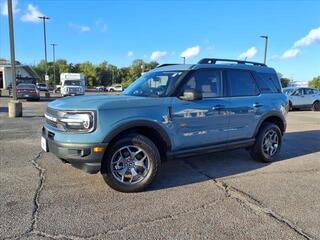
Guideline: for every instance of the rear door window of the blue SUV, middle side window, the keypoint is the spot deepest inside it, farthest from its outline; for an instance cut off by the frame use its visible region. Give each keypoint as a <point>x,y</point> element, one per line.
<point>241,83</point>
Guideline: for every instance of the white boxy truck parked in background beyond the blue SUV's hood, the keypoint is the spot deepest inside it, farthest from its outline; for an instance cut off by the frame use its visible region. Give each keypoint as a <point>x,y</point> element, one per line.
<point>72,84</point>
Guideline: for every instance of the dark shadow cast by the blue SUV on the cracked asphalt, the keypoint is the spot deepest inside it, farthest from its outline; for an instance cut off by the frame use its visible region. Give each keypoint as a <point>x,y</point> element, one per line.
<point>225,164</point>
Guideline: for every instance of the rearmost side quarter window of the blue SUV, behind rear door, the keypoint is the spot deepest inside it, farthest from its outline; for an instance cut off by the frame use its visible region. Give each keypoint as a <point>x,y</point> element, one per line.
<point>268,82</point>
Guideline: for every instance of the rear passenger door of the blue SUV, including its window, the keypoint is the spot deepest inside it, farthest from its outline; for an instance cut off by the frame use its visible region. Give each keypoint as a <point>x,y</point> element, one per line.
<point>245,104</point>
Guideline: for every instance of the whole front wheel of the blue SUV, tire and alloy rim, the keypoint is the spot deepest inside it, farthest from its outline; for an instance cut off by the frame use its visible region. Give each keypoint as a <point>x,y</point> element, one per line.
<point>131,164</point>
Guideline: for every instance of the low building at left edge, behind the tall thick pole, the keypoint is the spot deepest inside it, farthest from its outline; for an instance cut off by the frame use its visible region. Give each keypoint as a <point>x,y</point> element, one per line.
<point>24,74</point>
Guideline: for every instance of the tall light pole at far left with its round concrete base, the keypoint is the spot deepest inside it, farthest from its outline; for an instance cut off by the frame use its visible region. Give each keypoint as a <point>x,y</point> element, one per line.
<point>15,107</point>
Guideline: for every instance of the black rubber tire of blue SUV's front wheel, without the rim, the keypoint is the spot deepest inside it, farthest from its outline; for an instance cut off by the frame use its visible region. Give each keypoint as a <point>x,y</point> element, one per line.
<point>141,142</point>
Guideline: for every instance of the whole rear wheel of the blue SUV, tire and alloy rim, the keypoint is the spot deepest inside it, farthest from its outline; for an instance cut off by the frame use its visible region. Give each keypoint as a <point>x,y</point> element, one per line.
<point>268,143</point>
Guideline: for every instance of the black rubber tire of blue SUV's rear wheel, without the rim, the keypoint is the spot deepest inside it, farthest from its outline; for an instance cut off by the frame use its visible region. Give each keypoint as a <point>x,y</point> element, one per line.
<point>257,151</point>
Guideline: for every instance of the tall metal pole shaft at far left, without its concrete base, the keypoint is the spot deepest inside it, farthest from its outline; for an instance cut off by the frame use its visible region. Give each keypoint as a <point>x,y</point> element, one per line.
<point>12,53</point>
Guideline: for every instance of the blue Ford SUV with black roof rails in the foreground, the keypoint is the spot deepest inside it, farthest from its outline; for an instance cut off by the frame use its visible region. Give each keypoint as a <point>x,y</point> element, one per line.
<point>170,112</point>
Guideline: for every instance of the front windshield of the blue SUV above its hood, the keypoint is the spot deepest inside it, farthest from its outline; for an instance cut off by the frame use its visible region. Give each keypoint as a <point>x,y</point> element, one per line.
<point>153,84</point>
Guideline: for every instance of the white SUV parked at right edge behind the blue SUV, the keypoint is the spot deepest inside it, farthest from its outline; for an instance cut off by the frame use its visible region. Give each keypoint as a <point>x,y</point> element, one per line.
<point>302,97</point>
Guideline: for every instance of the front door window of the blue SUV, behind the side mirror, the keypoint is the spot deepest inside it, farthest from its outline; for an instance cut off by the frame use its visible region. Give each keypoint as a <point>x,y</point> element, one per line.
<point>207,81</point>
